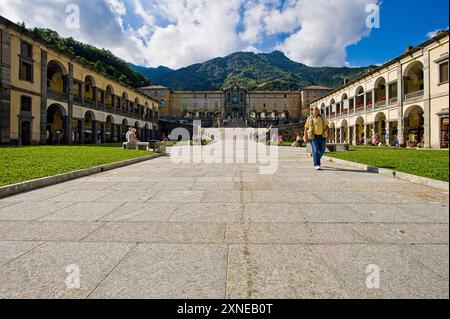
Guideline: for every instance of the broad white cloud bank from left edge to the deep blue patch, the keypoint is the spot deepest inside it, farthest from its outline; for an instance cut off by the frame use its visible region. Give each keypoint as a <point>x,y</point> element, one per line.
<point>177,33</point>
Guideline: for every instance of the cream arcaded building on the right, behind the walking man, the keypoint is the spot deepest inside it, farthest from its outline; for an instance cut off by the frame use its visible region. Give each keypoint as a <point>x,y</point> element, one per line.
<point>406,100</point>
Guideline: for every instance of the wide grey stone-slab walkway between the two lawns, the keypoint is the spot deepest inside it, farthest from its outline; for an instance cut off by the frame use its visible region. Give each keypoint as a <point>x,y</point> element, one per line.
<point>160,230</point>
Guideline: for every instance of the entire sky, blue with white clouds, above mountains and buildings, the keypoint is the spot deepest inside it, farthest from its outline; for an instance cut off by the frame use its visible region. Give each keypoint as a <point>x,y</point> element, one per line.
<point>177,33</point>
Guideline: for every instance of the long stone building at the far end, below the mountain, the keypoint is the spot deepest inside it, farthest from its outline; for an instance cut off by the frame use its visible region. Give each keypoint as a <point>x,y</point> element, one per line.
<point>257,108</point>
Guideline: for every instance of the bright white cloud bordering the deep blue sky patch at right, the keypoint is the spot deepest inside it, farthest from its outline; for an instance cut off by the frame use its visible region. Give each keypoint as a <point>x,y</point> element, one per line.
<point>326,30</point>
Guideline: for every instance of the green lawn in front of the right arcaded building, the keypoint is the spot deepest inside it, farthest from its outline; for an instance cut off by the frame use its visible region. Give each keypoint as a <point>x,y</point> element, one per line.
<point>427,163</point>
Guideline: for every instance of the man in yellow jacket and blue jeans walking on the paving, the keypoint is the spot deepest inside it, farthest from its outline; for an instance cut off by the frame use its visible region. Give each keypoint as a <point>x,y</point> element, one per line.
<point>316,132</point>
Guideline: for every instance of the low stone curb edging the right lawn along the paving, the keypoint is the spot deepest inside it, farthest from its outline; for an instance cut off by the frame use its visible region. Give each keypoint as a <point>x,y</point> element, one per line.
<point>441,185</point>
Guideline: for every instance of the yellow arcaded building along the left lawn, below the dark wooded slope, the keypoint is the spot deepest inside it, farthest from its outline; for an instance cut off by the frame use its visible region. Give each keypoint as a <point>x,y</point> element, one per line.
<point>49,97</point>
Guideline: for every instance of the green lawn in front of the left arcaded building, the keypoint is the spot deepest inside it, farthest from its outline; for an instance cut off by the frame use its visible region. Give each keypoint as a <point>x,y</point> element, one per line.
<point>19,164</point>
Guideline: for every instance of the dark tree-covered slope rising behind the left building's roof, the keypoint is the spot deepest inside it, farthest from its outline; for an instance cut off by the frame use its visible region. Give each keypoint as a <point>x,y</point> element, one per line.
<point>102,60</point>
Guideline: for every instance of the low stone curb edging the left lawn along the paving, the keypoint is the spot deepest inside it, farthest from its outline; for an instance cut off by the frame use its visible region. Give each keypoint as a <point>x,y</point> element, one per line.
<point>53,180</point>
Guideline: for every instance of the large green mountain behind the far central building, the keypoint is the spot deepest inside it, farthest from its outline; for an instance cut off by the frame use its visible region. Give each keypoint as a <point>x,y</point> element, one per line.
<point>264,71</point>
